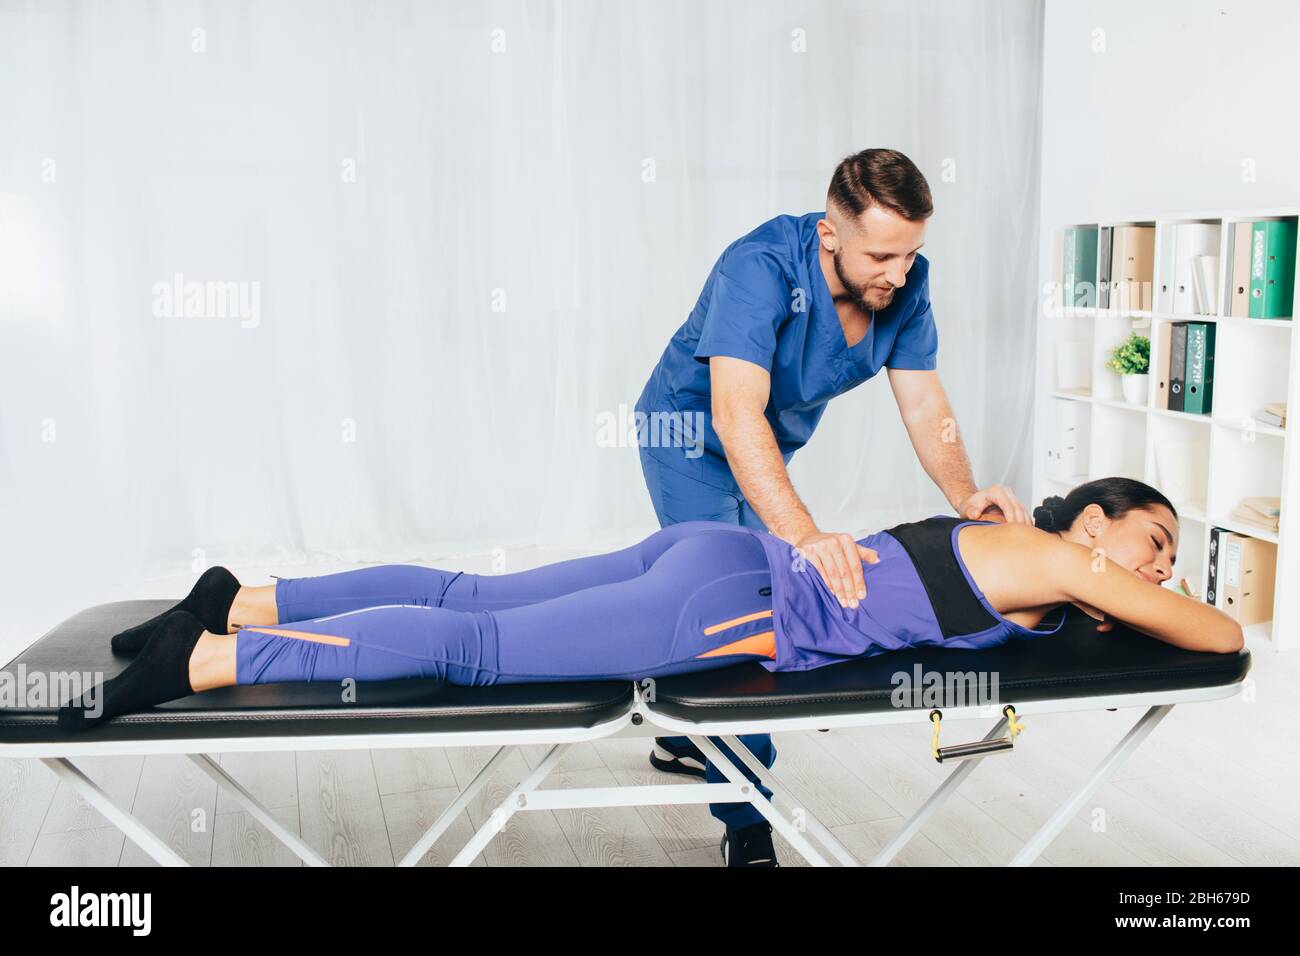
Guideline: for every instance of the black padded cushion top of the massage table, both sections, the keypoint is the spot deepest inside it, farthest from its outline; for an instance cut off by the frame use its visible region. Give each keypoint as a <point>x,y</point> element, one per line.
<point>1076,663</point>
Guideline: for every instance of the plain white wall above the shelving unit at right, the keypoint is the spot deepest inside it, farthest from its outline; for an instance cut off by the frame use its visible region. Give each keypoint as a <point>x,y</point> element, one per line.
<point>1165,107</point>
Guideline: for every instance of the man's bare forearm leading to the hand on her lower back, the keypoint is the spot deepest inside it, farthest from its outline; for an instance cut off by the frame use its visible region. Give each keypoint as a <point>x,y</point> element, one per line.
<point>757,465</point>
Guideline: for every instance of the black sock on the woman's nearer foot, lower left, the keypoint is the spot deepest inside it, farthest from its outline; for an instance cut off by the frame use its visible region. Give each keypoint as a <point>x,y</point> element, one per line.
<point>161,673</point>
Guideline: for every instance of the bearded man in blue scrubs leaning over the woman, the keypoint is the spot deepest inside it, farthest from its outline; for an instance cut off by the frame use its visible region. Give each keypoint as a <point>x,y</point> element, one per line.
<point>794,314</point>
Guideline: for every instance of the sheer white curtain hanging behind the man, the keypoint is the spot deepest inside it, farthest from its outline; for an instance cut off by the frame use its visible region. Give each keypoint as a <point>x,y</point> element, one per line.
<point>457,237</point>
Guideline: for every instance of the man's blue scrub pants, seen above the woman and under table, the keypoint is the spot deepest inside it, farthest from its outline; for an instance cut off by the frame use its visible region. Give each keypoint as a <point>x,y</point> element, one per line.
<point>682,492</point>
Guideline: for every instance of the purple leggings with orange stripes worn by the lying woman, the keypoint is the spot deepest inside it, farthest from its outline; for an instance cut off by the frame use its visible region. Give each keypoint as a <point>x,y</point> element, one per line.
<point>691,596</point>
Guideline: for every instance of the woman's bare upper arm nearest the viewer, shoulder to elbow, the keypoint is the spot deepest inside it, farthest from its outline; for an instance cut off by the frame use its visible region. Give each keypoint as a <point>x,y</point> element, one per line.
<point>1072,573</point>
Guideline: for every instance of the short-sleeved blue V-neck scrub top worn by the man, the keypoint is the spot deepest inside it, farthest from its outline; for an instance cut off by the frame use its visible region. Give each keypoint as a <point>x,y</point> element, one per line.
<point>766,301</point>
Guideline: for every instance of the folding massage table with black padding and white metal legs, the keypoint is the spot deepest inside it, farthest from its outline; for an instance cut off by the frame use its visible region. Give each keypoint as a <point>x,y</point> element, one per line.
<point>1076,671</point>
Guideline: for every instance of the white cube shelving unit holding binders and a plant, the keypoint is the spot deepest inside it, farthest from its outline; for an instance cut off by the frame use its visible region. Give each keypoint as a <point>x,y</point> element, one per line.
<point>1256,361</point>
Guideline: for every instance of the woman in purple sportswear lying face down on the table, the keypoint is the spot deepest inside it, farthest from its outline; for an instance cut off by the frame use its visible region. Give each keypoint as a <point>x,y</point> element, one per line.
<point>690,598</point>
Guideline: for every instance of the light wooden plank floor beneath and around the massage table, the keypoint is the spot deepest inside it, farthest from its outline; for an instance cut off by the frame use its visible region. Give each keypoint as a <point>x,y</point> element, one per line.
<point>1215,785</point>
